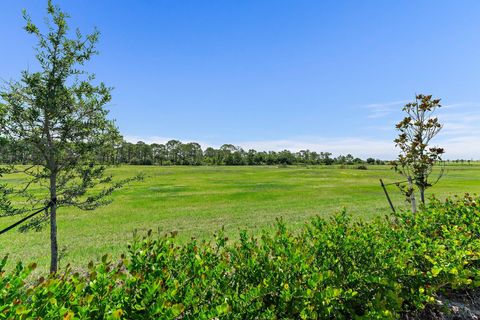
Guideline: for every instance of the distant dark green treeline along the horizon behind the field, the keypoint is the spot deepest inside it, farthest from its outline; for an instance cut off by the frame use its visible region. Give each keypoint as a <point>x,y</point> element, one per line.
<point>175,152</point>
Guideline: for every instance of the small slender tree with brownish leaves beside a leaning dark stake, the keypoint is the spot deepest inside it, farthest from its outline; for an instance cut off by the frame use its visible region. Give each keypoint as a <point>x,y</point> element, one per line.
<point>417,159</point>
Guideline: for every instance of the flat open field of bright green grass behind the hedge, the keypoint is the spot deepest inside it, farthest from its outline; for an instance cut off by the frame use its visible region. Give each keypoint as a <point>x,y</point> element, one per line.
<point>197,201</point>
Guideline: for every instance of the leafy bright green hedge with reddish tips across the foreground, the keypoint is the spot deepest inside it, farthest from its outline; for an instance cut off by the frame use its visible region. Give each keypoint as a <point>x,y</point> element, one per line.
<point>336,269</point>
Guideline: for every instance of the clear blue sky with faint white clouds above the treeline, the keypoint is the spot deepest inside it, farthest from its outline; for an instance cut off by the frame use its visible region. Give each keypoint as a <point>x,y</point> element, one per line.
<point>325,75</point>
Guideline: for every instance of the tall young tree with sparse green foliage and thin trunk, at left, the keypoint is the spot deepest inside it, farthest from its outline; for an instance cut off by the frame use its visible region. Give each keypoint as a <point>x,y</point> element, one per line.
<point>60,113</point>
